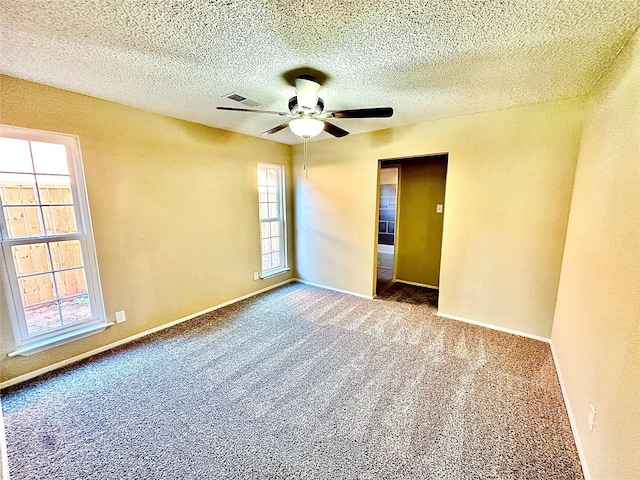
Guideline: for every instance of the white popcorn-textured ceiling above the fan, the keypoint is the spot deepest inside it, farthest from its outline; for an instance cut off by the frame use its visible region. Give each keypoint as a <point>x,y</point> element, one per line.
<point>426,59</point>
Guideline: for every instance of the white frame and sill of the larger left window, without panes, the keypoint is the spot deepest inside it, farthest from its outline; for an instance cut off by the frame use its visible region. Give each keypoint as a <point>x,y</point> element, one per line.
<point>25,343</point>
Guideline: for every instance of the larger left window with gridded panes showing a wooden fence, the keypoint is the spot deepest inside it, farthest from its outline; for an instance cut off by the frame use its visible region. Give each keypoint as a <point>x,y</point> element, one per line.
<point>48,256</point>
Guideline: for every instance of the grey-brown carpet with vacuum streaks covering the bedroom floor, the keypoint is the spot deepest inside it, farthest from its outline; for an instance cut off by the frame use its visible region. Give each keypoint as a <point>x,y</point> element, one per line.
<point>300,382</point>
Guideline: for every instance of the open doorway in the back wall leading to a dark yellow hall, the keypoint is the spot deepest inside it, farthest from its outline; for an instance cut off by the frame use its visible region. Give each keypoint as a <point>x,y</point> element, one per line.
<point>411,252</point>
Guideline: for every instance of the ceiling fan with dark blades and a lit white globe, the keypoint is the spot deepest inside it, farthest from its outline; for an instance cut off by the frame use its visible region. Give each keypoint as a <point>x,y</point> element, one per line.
<point>307,117</point>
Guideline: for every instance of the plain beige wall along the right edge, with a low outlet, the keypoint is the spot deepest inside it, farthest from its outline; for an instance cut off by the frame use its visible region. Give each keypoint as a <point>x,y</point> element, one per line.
<point>596,331</point>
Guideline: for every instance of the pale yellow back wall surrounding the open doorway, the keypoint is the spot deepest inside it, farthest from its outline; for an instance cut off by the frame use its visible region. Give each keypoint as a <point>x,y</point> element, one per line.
<point>509,182</point>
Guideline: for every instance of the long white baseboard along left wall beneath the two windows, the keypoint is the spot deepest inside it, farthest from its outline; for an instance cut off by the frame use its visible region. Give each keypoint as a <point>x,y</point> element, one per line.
<point>77,358</point>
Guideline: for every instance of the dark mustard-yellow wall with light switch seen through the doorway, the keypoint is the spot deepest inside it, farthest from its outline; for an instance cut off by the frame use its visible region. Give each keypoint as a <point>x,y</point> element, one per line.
<point>419,239</point>
